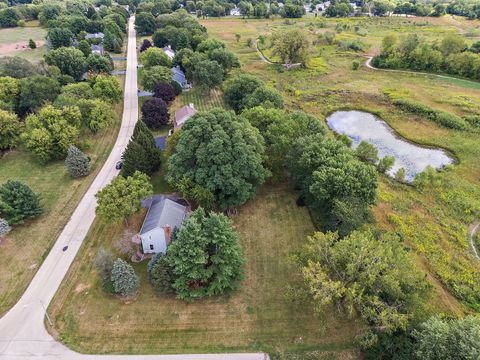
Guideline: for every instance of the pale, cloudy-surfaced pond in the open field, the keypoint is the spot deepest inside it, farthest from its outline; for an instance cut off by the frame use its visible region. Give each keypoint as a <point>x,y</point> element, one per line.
<point>359,125</point>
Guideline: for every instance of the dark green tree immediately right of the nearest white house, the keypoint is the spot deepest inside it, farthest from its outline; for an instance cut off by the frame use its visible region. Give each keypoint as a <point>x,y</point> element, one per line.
<point>206,256</point>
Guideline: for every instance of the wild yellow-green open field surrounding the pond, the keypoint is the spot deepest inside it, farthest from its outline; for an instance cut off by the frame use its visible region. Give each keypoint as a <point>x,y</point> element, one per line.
<point>433,218</point>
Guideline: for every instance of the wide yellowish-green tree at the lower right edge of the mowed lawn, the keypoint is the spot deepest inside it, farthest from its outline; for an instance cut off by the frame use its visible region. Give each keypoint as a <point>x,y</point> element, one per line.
<point>370,275</point>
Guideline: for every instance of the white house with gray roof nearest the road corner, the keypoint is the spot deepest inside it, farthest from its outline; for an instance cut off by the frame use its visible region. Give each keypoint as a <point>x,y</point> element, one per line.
<point>163,216</point>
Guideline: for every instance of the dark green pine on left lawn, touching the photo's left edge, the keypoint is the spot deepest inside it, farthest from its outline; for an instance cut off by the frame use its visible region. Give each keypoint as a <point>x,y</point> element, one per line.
<point>18,202</point>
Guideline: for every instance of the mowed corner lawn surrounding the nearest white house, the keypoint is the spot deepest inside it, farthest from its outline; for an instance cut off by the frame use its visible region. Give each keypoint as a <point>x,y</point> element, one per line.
<point>257,317</point>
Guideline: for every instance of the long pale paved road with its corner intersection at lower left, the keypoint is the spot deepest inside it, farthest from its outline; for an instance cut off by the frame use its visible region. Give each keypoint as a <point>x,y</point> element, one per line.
<point>22,331</point>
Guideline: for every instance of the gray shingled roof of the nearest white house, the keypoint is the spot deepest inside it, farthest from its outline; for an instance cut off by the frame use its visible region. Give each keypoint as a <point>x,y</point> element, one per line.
<point>164,212</point>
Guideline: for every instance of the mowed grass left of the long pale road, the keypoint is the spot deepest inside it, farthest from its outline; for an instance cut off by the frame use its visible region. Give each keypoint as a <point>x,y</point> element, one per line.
<point>27,245</point>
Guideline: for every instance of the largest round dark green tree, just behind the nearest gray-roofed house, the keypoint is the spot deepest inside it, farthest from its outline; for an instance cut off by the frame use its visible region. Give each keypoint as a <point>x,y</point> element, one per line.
<point>227,159</point>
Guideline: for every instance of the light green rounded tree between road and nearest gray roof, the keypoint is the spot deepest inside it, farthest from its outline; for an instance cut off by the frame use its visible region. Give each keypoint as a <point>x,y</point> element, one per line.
<point>122,197</point>
